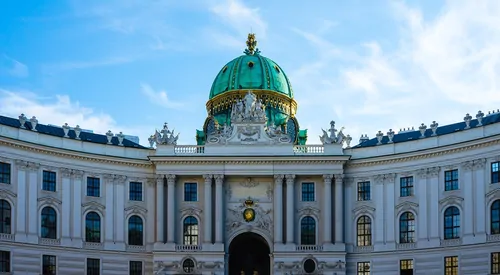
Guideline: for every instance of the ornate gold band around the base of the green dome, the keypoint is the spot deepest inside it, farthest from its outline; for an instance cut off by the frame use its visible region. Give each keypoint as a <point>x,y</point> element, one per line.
<point>269,97</point>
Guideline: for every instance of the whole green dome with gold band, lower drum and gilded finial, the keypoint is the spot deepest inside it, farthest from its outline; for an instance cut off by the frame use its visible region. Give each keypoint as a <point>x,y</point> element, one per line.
<point>256,73</point>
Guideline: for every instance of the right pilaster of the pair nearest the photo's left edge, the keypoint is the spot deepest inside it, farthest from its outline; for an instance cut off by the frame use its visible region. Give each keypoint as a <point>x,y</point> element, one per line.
<point>32,200</point>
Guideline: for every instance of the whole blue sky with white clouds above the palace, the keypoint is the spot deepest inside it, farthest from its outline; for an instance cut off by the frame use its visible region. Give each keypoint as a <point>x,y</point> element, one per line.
<point>131,65</point>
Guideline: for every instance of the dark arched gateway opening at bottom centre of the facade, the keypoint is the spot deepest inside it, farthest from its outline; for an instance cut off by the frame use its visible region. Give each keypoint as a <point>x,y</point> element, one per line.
<point>249,253</point>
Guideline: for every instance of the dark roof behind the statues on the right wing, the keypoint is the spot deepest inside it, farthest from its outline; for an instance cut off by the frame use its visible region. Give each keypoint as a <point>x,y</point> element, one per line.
<point>442,130</point>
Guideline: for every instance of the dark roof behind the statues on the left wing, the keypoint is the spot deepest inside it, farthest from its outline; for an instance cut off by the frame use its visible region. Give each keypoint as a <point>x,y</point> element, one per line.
<point>59,132</point>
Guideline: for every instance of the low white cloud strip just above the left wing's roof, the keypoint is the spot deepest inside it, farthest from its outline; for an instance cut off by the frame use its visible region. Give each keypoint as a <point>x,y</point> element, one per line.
<point>63,110</point>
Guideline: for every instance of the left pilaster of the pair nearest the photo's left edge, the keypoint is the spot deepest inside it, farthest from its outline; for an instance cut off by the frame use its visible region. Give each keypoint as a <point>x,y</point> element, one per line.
<point>21,201</point>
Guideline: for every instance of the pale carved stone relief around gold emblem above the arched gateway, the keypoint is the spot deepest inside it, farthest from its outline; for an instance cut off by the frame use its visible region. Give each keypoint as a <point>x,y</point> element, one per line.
<point>263,218</point>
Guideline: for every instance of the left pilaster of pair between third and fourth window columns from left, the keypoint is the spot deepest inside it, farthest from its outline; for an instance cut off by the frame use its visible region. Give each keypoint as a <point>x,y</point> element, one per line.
<point>108,187</point>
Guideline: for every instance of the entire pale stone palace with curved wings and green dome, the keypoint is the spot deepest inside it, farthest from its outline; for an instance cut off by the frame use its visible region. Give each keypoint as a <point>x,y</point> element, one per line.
<point>251,197</point>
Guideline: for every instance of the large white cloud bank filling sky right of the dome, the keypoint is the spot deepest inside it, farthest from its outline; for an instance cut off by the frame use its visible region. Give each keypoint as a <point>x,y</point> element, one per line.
<point>441,69</point>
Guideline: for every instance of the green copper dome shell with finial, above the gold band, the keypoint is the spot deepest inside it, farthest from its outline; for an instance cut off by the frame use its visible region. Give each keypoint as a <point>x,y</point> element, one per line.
<point>251,71</point>
